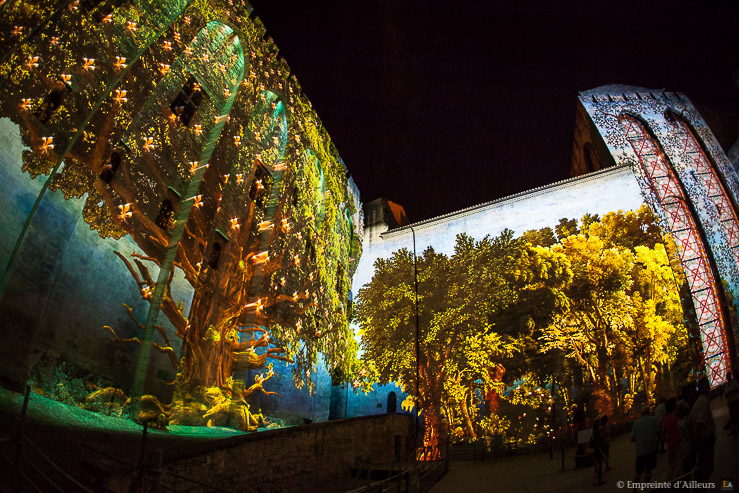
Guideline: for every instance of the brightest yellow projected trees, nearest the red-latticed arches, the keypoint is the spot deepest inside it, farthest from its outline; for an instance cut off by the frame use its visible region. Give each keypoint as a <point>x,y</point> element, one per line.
<point>623,305</point>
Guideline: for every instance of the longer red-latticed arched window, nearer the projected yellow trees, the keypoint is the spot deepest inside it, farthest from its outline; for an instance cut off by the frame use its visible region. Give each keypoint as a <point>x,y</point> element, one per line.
<point>690,242</point>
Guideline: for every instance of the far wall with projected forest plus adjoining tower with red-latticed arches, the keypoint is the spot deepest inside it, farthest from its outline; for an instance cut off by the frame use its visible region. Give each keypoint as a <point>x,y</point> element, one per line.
<point>639,252</point>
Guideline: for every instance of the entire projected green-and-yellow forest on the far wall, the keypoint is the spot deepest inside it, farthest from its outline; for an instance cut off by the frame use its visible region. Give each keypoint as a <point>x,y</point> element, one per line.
<point>512,328</point>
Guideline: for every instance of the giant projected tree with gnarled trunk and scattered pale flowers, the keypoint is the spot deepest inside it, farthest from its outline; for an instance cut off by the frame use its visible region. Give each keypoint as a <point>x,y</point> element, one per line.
<point>190,136</point>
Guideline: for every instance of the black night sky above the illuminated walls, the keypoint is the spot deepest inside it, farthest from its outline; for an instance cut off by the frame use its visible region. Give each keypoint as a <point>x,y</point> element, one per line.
<point>441,105</point>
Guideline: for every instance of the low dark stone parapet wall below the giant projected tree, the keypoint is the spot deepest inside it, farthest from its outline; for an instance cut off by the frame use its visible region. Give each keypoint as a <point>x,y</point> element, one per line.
<point>316,457</point>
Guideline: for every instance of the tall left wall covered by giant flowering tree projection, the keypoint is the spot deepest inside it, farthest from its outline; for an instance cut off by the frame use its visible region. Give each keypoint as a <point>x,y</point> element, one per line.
<point>173,131</point>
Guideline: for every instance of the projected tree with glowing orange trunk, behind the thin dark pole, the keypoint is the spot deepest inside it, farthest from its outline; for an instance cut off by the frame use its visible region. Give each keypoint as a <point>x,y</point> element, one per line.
<point>456,297</point>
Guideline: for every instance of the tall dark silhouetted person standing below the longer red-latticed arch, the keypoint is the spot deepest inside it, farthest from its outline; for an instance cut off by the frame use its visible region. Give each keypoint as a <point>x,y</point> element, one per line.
<point>703,430</point>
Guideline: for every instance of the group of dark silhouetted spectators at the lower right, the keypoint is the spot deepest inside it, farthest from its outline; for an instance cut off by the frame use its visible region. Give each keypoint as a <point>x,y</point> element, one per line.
<point>686,427</point>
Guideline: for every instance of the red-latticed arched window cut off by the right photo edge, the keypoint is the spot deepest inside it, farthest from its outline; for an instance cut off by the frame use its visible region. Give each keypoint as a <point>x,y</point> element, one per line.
<point>705,173</point>
